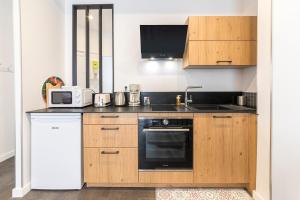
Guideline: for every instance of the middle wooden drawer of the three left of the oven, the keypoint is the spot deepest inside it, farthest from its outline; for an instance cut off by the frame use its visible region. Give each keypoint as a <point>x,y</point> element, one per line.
<point>110,135</point>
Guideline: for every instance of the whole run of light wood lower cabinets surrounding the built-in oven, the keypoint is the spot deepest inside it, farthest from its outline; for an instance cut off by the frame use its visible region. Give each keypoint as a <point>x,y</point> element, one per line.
<point>224,154</point>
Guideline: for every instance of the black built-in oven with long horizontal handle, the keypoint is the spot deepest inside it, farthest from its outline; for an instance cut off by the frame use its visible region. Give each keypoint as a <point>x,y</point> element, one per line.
<point>165,143</point>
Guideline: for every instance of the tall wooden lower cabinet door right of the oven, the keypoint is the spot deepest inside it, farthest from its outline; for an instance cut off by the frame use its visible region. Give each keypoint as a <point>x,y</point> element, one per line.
<point>220,148</point>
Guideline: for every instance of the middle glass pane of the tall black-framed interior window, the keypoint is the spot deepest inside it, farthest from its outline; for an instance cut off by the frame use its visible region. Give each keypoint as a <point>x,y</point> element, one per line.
<point>94,49</point>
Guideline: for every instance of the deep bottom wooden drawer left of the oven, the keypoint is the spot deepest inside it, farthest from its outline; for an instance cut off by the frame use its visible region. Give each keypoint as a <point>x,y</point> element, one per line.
<point>110,165</point>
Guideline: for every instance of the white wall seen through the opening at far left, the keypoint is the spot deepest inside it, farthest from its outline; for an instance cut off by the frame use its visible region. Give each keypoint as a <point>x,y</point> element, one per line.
<point>7,135</point>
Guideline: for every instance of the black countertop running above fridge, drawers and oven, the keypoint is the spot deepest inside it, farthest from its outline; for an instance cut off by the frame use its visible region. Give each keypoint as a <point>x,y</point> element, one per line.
<point>147,109</point>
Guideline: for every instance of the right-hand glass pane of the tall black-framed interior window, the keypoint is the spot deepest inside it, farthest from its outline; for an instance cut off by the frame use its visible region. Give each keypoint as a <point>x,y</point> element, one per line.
<point>107,51</point>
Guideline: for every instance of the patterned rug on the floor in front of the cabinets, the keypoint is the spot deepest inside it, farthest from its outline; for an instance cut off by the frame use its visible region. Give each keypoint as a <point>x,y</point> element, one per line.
<point>201,194</point>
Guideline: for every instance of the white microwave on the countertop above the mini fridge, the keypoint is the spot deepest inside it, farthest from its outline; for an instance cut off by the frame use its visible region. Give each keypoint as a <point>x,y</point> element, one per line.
<point>73,97</point>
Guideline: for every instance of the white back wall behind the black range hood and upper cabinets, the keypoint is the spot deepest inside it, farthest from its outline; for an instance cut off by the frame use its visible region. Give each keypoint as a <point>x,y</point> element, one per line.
<point>160,75</point>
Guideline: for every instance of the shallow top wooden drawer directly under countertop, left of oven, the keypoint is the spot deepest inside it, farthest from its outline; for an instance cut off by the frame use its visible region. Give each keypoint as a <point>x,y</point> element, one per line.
<point>110,118</point>
